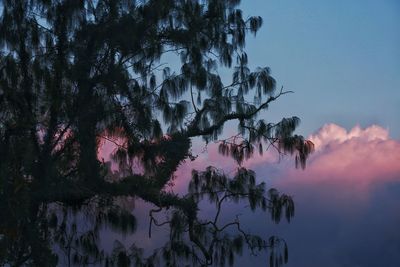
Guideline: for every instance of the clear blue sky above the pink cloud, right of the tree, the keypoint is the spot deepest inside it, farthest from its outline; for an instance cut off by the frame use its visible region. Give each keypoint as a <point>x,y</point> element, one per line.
<point>340,57</point>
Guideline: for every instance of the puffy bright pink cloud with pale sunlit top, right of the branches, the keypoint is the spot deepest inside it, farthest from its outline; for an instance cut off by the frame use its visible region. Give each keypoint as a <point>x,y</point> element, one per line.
<point>359,158</point>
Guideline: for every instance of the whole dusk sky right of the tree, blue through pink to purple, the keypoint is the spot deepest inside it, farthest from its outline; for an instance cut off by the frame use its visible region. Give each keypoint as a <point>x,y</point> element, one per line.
<point>341,58</point>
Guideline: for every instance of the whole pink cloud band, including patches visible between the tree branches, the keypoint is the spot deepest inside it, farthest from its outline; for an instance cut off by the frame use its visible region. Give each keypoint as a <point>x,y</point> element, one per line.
<point>352,160</point>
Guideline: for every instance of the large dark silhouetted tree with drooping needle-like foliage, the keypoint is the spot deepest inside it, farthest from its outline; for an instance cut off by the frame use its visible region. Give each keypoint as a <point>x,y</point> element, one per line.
<point>73,73</point>
